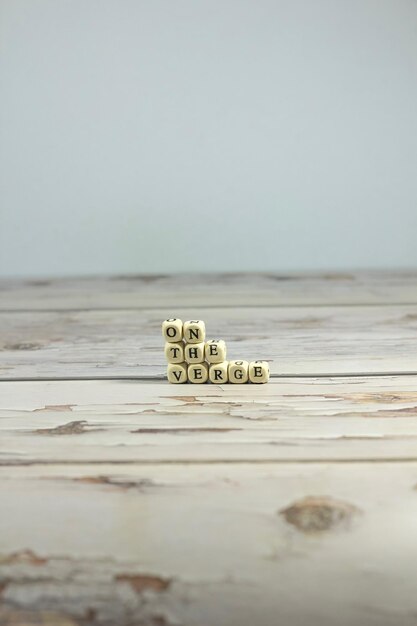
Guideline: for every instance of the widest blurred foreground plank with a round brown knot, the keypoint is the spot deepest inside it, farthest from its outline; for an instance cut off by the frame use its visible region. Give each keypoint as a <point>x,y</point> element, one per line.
<point>188,545</point>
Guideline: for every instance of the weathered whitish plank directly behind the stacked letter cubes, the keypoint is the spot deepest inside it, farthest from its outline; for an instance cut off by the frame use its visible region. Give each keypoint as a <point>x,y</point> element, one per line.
<point>296,340</point>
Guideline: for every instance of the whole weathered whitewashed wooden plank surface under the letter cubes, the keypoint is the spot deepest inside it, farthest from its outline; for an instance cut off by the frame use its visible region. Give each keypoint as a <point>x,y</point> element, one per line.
<point>127,501</point>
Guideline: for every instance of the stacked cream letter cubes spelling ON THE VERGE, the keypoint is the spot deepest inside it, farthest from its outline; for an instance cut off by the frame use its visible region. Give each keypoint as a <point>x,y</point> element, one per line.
<point>193,359</point>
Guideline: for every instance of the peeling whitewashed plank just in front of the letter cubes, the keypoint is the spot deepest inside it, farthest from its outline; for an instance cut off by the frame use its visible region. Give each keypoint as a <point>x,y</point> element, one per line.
<point>287,420</point>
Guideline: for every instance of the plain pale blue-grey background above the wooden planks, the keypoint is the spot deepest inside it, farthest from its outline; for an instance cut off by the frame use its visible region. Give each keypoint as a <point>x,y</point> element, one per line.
<point>166,135</point>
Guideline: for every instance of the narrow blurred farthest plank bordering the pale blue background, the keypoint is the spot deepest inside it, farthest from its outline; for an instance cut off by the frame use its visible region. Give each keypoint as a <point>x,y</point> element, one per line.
<point>205,290</point>
